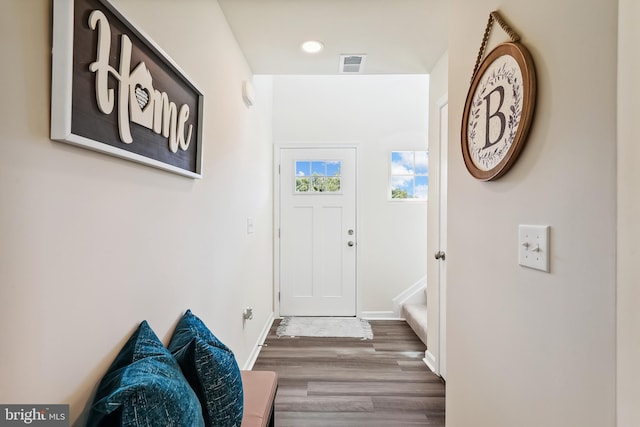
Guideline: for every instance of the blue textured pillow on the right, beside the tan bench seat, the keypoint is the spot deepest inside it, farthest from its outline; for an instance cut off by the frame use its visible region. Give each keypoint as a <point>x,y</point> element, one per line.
<point>211,369</point>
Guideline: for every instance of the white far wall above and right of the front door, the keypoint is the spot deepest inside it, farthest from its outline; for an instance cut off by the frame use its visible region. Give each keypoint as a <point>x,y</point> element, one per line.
<point>380,113</point>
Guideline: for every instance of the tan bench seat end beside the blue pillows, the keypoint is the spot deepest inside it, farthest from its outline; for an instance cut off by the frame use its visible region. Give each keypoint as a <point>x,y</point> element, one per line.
<point>259,389</point>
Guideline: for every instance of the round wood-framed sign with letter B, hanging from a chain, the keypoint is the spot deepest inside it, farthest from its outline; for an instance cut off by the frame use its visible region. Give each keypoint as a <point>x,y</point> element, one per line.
<point>499,109</point>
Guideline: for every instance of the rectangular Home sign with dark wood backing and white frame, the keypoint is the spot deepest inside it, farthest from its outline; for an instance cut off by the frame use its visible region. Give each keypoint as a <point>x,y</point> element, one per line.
<point>115,91</point>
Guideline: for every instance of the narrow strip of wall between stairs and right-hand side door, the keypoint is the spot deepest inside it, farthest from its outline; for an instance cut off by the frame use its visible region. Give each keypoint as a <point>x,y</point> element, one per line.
<point>438,86</point>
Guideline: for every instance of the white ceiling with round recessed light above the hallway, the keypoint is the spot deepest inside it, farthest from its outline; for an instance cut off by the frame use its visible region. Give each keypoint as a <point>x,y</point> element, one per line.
<point>398,36</point>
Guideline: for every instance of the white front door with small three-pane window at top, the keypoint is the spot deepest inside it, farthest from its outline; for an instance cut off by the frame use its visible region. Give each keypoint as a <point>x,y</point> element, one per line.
<point>317,232</point>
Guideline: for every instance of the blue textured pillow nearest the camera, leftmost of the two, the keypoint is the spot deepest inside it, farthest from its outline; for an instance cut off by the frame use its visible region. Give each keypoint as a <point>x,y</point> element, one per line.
<point>145,387</point>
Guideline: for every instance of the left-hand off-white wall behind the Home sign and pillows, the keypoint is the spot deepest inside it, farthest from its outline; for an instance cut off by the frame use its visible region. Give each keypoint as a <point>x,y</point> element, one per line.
<point>90,245</point>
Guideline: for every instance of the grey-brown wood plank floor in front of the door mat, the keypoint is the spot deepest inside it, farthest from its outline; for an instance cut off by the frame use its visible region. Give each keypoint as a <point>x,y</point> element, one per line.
<point>351,382</point>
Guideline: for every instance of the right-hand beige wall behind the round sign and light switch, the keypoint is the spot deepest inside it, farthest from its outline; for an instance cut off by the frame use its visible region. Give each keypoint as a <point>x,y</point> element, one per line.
<point>527,348</point>
